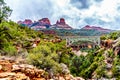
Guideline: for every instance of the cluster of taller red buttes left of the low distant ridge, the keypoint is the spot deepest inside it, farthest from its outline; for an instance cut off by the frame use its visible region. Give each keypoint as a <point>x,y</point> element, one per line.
<point>45,23</point>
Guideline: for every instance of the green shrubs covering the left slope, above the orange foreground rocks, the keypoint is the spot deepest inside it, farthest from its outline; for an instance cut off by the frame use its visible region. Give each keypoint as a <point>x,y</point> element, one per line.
<point>47,55</point>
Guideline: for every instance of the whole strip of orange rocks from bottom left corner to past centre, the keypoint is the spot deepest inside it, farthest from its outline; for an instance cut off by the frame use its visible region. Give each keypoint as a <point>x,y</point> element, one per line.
<point>13,70</point>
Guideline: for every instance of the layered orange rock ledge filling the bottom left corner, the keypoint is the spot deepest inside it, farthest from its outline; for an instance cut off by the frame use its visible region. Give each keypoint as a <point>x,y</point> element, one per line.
<point>15,71</point>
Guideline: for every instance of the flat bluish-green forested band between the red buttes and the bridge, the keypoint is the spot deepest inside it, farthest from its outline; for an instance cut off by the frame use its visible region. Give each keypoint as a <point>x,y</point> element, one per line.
<point>77,32</point>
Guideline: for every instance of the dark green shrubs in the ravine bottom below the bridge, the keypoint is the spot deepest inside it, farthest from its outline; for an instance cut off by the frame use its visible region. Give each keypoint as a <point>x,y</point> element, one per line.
<point>81,65</point>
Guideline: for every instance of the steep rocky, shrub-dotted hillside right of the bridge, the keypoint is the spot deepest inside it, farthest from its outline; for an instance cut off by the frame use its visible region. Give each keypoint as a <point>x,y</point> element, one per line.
<point>102,63</point>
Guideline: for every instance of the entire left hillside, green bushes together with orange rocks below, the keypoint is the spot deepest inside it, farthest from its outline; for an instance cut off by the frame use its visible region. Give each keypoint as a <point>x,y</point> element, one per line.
<point>21,48</point>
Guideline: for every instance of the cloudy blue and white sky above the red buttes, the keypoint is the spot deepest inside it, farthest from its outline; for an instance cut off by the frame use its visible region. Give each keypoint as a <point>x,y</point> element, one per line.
<point>77,13</point>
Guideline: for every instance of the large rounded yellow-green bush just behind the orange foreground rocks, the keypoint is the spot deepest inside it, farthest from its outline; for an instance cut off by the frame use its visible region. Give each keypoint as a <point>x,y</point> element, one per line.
<point>43,57</point>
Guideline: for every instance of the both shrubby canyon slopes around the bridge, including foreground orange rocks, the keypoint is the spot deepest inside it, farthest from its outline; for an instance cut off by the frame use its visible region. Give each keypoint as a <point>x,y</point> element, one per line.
<point>21,45</point>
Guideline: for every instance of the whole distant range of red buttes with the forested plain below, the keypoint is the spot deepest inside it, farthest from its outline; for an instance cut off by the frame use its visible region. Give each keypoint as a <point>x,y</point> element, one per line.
<point>61,28</point>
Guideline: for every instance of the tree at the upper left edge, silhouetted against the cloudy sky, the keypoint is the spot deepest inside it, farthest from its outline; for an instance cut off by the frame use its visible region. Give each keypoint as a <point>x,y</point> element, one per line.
<point>5,11</point>
